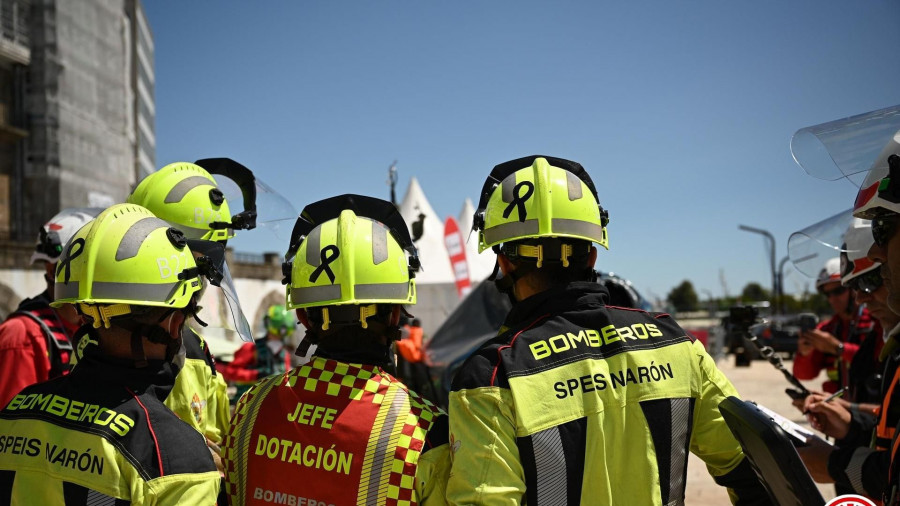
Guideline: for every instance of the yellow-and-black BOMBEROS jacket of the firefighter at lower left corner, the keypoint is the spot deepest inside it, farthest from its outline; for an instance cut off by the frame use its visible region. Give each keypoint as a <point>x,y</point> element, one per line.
<point>101,435</point>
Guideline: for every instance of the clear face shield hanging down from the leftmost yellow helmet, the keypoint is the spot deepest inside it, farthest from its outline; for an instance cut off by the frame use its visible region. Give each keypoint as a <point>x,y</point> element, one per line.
<point>220,309</point>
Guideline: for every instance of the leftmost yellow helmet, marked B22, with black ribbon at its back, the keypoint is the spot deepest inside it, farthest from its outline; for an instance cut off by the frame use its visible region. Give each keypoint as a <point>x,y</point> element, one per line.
<point>126,257</point>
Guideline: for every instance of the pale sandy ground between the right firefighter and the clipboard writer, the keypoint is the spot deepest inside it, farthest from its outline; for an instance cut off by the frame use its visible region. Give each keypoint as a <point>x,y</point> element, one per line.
<point>762,383</point>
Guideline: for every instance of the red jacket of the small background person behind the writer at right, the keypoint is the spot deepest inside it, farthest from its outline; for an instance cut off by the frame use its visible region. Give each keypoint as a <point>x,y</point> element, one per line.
<point>809,366</point>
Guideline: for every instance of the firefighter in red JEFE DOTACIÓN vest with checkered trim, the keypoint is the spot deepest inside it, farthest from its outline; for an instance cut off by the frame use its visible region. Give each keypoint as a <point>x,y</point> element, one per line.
<point>341,424</point>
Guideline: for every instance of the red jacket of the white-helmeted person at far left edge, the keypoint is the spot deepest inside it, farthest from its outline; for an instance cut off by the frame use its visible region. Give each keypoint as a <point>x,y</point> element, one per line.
<point>24,358</point>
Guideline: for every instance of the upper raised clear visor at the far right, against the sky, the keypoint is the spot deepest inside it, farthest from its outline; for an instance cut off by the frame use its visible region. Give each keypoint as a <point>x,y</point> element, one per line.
<point>845,148</point>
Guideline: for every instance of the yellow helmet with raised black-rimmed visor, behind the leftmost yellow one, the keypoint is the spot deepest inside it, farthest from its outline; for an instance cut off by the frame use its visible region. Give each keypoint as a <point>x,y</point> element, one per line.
<point>188,197</point>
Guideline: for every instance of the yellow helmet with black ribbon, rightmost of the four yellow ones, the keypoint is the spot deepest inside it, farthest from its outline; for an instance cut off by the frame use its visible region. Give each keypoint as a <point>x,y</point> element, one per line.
<point>539,197</point>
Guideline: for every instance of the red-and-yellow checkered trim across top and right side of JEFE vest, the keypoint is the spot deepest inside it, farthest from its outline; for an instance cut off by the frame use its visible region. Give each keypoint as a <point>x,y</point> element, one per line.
<point>398,432</point>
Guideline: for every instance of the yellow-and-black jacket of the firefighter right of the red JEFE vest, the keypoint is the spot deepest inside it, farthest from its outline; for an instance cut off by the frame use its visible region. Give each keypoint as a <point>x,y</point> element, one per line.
<point>578,402</point>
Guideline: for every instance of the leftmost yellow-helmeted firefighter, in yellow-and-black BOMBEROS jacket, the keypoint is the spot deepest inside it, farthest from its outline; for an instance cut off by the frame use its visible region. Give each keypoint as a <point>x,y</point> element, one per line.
<point>101,434</point>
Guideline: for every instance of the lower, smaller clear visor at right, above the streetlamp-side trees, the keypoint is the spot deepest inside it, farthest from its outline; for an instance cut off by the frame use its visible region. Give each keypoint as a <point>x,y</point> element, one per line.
<point>809,248</point>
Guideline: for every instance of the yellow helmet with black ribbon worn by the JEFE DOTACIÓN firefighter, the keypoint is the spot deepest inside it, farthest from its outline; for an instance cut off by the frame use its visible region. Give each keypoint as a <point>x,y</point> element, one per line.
<point>350,250</point>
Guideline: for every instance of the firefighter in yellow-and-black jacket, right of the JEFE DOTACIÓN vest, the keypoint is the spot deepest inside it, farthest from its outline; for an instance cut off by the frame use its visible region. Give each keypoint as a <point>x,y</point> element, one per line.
<point>575,401</point>
